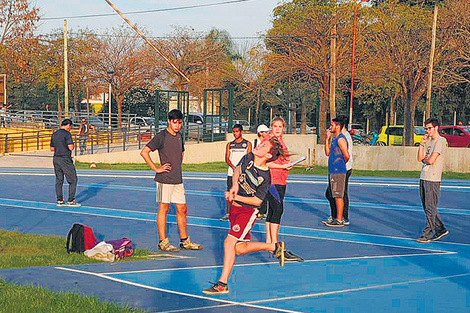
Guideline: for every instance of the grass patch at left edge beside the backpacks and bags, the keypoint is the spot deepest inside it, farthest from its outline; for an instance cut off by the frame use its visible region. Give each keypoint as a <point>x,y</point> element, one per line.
<point>18,250</point>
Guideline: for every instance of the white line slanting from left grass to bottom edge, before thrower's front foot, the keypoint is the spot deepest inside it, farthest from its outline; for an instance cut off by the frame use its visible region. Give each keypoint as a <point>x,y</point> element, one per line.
<point>172,291</point>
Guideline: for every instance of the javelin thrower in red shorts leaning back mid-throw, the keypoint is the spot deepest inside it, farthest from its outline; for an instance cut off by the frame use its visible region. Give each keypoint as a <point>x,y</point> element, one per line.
<point>251,180</point>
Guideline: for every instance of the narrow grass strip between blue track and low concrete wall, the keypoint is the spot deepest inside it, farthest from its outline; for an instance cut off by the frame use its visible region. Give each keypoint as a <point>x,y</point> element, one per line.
<point>221,167</point>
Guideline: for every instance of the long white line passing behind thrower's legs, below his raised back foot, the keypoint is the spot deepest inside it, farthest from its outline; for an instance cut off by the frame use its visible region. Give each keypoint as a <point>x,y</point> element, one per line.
<point>370,257</point>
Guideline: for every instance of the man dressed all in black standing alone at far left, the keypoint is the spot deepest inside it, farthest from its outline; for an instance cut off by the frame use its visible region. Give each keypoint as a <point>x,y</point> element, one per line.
<point>62,146</point>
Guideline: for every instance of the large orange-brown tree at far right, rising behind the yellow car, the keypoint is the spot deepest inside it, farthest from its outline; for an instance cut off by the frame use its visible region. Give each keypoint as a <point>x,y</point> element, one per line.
<point>398,48</point>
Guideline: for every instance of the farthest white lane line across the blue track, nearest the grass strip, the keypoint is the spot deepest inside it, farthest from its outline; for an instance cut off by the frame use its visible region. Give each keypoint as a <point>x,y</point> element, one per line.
<point>296,181</point>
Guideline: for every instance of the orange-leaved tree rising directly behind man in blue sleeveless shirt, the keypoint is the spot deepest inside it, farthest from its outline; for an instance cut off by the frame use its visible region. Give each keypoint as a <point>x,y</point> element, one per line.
<point>300,45</point>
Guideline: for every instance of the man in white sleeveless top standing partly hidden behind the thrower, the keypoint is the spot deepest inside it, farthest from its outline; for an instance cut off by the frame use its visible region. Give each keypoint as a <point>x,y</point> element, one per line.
<point>234,152</point>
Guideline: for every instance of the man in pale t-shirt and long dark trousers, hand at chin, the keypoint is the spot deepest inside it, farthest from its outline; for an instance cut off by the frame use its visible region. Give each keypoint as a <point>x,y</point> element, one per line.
<point>431,152</point>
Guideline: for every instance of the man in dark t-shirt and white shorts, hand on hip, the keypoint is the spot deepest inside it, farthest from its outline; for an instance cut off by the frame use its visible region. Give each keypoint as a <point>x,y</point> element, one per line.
<point>169,180</point>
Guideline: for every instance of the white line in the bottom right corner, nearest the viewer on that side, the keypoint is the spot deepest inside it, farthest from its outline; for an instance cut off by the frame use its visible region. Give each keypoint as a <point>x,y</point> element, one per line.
<point>328,293</point>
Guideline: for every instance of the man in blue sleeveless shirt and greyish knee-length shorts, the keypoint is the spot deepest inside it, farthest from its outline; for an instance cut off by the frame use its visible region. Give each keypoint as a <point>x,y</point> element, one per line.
<point>336,148</point>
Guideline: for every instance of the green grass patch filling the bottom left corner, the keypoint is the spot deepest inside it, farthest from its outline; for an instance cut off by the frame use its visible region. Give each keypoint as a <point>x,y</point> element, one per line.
<point>14,298</point>
